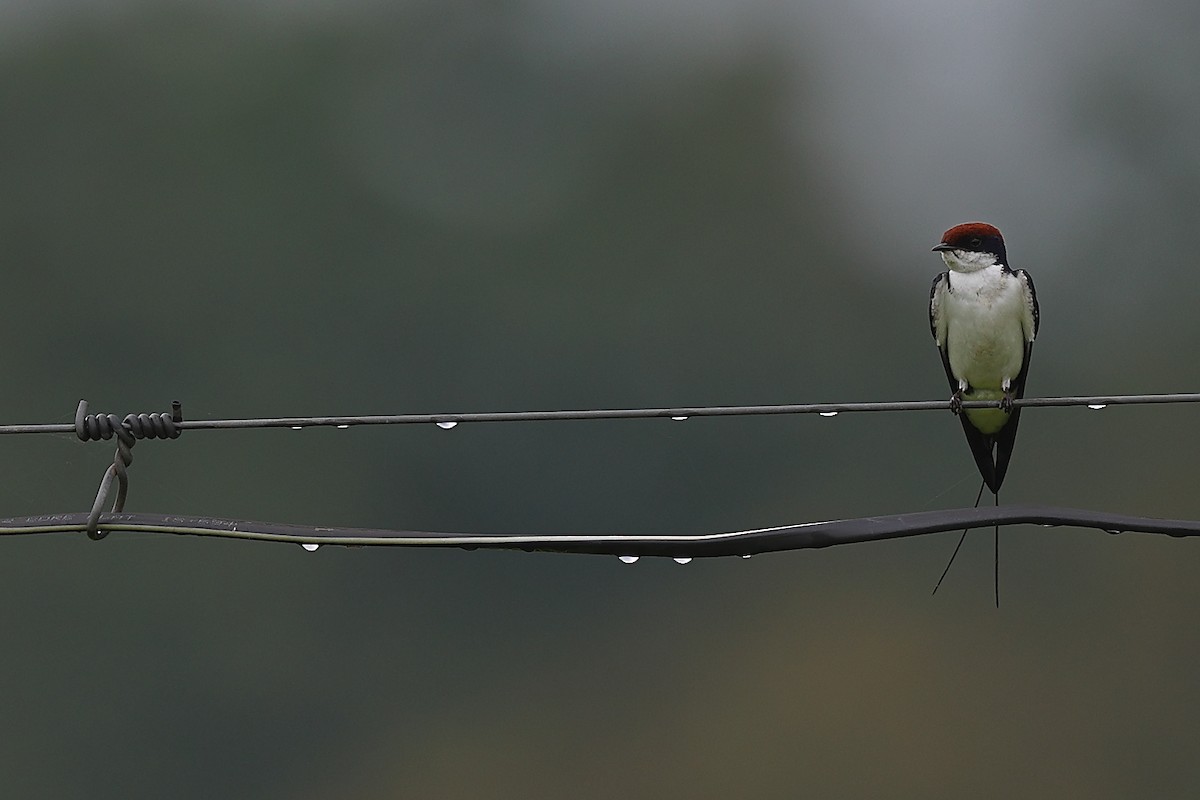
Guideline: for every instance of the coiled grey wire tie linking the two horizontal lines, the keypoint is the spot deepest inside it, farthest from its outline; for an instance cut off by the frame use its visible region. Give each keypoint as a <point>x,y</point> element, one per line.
<point>93,428</point>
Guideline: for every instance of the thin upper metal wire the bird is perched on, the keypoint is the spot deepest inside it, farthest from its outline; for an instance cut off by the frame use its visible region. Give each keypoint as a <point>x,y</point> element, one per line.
<point>452,419</point>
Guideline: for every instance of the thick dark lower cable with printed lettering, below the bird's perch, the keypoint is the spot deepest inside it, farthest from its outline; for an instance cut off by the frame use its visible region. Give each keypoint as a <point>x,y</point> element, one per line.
<point>686,546</point>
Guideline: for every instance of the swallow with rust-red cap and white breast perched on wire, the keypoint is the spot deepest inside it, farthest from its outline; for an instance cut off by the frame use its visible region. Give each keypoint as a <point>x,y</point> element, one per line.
<point>985,317</point>
